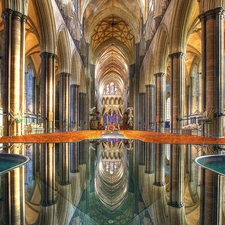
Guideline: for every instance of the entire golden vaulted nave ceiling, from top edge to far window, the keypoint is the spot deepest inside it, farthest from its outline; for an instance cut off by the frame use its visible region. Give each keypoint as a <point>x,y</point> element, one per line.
<point>112,30</point>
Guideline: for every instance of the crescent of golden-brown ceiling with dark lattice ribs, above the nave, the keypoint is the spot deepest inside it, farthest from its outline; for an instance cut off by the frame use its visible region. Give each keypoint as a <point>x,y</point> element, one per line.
<point>112,28</point>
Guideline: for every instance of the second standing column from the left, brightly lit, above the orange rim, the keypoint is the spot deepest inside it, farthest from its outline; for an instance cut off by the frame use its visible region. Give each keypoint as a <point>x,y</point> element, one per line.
<point>47,90</point>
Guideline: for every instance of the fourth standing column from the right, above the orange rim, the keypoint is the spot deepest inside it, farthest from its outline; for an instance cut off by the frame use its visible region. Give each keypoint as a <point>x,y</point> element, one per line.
<point>150,107</point>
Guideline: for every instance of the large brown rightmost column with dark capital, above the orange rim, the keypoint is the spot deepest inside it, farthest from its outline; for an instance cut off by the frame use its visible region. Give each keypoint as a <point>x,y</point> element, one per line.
<point>213,66</point>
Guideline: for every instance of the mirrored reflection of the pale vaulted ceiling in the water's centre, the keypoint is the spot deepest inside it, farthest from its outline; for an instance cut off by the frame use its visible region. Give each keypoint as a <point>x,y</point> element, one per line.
<point>111,181</point>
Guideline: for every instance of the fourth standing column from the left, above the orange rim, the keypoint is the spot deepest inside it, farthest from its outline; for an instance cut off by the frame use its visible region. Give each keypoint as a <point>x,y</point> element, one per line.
<point>74,106</point>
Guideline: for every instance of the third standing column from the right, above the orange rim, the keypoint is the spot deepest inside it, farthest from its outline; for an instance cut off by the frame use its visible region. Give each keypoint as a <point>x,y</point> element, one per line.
<point>160,100</point>
